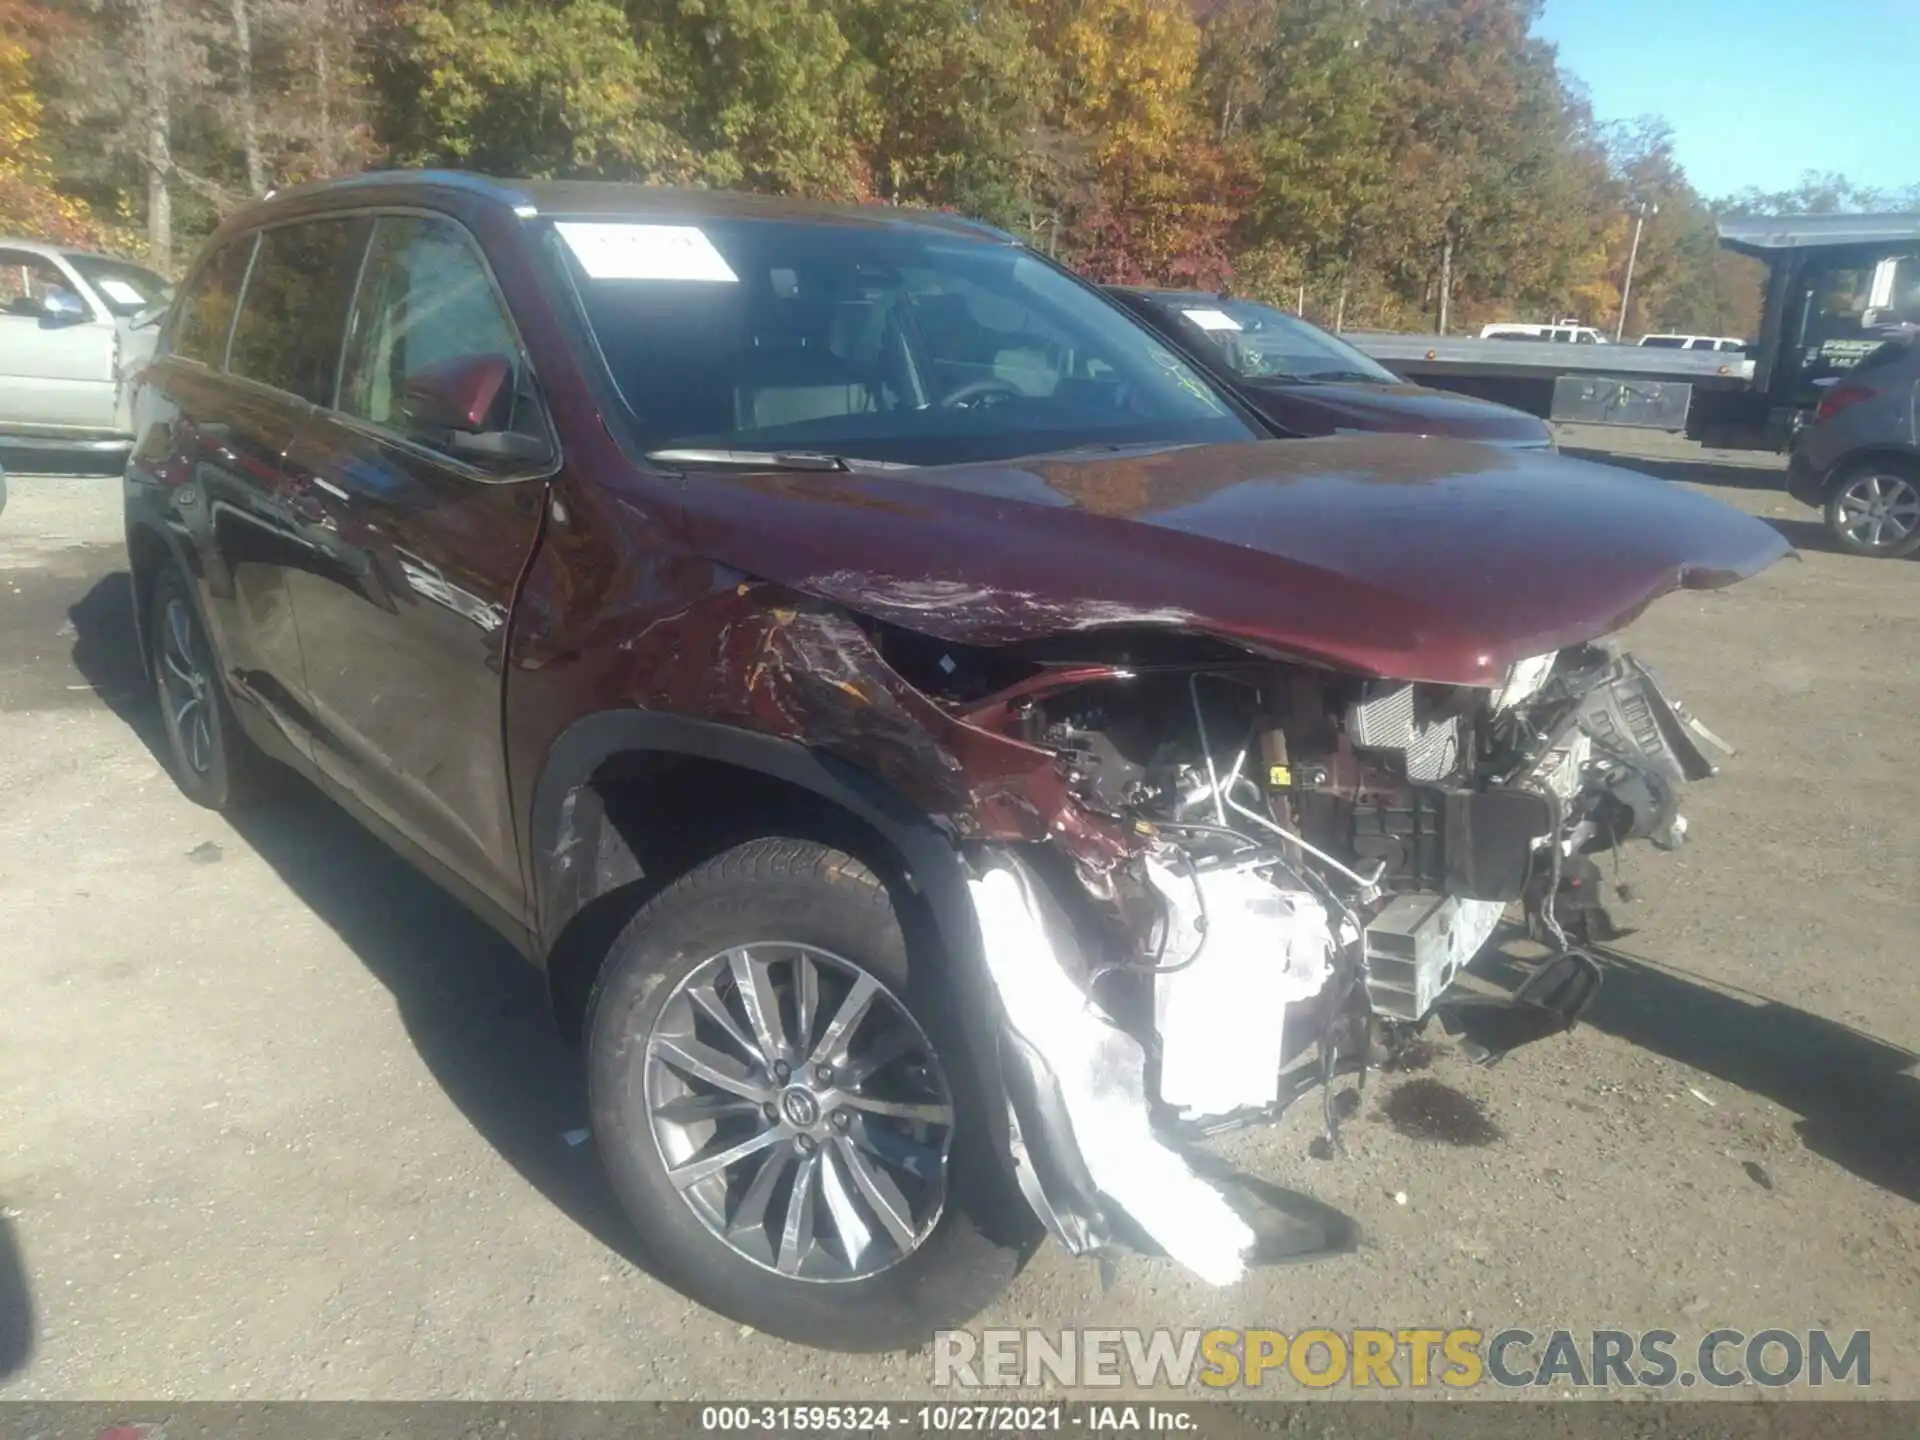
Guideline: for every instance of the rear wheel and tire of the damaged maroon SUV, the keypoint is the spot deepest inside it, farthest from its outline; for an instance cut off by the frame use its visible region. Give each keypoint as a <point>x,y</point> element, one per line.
<point>212,759</point>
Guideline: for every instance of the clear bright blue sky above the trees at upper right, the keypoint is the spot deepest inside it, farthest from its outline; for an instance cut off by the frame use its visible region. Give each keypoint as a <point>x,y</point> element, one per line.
<point>1758,91</point>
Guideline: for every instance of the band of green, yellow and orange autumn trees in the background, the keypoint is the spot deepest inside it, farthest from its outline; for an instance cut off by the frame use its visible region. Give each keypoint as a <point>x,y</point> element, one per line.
<point>1381,162</point>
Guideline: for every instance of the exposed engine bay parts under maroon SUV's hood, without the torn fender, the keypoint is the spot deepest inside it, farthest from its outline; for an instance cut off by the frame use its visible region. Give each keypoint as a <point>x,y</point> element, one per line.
<point>1372,834</point>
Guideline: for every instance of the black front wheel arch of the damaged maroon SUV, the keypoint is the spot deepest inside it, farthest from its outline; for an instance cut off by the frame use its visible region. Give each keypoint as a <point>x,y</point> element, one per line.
<point>631,800</point>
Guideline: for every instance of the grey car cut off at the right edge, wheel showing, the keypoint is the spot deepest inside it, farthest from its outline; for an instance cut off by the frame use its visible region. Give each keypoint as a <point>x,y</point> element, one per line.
<point>1860,458</point>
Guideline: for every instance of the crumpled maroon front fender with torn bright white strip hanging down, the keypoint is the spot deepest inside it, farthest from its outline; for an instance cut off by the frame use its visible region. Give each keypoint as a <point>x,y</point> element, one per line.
<point>1080,1134</point>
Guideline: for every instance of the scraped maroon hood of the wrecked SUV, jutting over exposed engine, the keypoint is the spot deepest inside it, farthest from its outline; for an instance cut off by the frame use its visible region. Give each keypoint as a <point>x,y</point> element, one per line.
<point>1416,560</point>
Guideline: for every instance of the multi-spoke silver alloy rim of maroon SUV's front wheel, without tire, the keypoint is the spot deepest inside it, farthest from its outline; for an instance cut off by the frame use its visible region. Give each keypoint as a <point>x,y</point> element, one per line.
<point>800,1111</point>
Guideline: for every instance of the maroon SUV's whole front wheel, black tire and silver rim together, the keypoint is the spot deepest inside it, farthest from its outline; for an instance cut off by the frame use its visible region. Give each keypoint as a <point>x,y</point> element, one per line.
<point>784,1107</point>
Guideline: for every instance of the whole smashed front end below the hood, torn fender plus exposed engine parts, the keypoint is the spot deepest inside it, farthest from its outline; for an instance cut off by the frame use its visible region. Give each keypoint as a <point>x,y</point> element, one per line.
<point>1203,882</point>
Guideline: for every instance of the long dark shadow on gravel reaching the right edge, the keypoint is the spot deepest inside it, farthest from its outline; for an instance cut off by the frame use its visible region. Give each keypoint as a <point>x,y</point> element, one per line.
<point>1858,1105</point>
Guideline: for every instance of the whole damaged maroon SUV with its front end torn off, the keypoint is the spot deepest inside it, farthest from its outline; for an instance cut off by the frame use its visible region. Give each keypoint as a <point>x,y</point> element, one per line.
<point>942,757</point>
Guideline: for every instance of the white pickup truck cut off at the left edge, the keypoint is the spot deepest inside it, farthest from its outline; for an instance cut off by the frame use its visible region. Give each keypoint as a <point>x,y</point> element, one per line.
<point>74,331</point>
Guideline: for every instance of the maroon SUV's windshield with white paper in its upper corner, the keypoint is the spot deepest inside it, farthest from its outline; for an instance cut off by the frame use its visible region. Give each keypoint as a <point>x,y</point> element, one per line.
<point>871,343</point>
